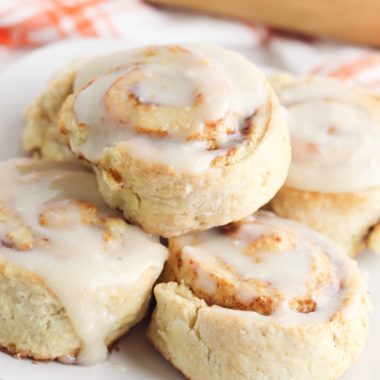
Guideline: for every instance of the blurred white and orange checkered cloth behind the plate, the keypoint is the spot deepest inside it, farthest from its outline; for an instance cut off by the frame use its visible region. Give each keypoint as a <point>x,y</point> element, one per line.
<point>30,23</point>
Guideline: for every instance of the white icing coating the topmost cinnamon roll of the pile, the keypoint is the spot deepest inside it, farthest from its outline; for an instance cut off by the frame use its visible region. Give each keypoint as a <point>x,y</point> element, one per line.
<point>231,88</point>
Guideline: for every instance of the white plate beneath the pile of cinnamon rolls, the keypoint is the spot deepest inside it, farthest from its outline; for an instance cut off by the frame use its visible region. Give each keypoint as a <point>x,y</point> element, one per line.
<point>135,358</point>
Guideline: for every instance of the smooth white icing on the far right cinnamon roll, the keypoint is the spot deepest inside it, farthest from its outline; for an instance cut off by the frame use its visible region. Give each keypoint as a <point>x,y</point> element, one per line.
<point>335,135</point>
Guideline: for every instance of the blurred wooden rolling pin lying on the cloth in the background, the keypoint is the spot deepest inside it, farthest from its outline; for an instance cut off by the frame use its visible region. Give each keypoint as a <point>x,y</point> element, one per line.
<point>351,20</point>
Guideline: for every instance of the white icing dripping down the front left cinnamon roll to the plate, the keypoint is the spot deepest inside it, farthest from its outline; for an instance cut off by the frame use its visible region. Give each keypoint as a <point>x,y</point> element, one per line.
<point>76,264</point>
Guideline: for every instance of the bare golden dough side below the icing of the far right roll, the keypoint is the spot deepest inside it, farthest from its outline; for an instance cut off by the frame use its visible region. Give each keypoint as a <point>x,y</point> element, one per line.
<point>350,219</point>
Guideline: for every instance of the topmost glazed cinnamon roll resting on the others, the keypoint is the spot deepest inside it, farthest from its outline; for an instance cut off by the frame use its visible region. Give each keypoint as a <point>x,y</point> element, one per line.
<point>181,137</point>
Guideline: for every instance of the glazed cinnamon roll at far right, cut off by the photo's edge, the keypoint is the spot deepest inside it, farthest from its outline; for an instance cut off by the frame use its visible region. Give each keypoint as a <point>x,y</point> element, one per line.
<point>333,184</point>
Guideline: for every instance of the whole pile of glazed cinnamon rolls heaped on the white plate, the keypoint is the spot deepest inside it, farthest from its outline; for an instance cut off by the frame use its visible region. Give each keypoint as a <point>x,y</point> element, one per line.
<point>188,143</point>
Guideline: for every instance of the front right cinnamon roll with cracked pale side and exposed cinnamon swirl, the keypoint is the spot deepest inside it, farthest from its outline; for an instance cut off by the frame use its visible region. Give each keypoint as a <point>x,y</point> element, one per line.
<point>263,298</point>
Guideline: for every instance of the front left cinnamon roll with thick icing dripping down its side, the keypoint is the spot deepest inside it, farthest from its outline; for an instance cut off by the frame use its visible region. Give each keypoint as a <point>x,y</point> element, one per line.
<point>73,275</point>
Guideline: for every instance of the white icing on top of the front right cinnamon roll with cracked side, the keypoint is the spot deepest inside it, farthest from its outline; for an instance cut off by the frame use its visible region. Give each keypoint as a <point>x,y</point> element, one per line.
<point>288,269</point>
